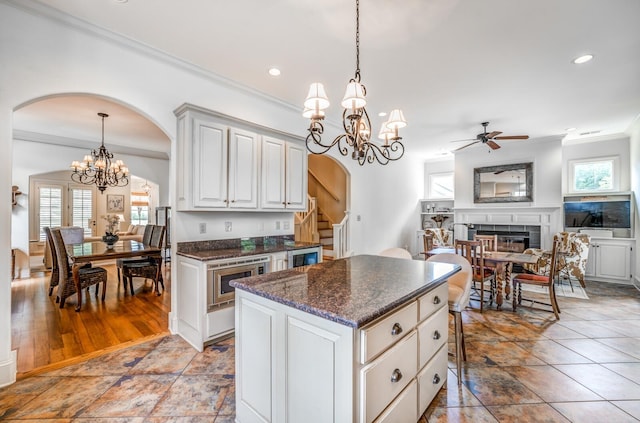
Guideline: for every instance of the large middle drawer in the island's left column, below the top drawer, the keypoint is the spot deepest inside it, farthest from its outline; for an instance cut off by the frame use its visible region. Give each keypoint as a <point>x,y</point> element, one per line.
<point>386,377</point>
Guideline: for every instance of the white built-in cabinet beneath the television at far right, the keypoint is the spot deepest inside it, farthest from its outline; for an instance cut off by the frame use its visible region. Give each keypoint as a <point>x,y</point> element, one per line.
<point>610,259</point>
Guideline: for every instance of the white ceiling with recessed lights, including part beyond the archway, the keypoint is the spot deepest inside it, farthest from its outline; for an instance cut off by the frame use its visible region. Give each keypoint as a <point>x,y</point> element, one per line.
<point>448,64</point>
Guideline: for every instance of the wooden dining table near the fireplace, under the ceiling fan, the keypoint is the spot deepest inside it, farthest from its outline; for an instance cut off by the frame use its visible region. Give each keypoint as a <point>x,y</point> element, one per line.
<point>503,262</point>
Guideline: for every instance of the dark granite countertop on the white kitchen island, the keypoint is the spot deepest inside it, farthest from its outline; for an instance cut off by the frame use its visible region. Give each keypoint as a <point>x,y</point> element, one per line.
<point>352,291</point>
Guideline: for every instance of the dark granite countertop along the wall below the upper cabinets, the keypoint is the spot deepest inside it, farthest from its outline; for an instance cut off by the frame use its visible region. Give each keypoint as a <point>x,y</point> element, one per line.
<point>225,249</point>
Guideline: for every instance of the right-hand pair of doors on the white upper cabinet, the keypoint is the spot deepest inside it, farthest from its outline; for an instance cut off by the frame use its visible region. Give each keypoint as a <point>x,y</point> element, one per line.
<point>284,175</point>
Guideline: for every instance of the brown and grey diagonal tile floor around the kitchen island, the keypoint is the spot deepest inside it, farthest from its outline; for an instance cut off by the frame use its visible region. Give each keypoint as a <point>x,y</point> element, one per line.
<point>522,367</point>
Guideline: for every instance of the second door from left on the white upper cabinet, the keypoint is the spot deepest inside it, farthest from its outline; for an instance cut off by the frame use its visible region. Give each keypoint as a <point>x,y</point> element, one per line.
<point>243,169</point>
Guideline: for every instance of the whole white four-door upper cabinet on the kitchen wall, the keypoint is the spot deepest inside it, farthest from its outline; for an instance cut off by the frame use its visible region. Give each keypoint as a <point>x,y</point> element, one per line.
<point>228,163</point>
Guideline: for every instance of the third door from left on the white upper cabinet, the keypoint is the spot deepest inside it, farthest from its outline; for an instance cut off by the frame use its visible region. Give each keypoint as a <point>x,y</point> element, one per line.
<point>273,173</point>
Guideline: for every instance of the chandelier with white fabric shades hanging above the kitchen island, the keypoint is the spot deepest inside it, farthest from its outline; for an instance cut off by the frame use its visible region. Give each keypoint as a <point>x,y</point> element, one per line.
<point>355,121</point>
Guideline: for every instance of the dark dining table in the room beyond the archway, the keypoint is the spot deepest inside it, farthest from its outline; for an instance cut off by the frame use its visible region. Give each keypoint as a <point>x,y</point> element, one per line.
<point>86,252</point>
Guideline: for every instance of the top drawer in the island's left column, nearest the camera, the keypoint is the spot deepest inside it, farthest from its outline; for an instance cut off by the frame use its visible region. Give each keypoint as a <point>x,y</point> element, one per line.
<point>381,335</point>
